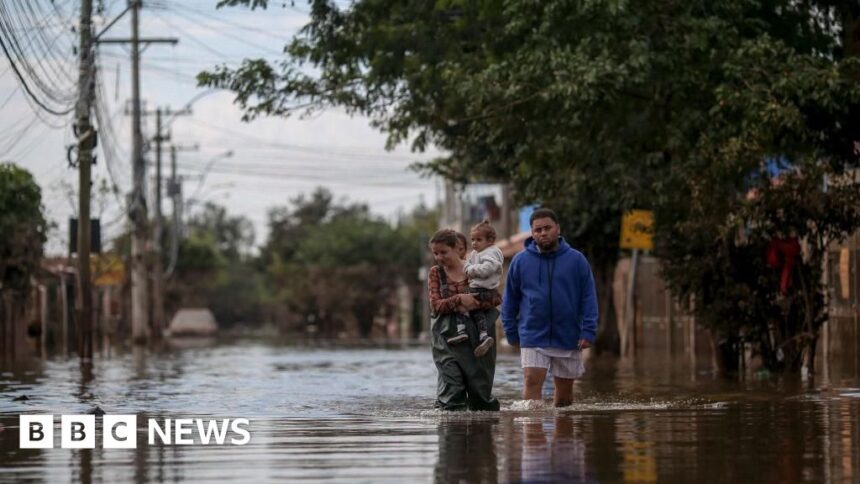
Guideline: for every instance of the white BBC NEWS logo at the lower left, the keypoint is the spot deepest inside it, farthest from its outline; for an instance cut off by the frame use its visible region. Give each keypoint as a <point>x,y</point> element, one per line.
<point>120,431</point>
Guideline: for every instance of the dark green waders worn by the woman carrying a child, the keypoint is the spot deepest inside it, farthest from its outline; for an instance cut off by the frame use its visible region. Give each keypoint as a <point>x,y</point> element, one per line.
<point>465,381</point>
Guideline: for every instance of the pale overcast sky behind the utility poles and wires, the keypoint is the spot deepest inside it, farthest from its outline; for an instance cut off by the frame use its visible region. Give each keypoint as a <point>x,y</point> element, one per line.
<point>273,159</point>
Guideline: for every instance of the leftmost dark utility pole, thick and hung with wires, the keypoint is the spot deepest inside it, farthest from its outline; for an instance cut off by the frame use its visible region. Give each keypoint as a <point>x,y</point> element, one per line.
<point>86,137</point>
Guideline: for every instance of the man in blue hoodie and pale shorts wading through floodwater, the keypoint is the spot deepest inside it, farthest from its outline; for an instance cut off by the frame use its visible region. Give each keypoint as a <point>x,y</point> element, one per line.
<point>549,309</point>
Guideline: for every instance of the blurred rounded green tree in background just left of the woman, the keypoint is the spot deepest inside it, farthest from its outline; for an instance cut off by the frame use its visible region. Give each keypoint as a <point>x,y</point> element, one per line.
<point>337,266</point>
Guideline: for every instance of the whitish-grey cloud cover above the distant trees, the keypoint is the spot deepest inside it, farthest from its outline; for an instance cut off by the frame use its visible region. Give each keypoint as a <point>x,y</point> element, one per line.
<point>275,159</point>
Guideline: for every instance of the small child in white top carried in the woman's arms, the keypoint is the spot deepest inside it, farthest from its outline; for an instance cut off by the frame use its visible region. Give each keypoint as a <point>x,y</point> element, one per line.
<point>484,268</point>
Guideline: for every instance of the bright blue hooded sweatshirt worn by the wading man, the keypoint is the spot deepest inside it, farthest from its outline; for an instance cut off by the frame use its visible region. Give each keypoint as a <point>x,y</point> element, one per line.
<point>550,300</point>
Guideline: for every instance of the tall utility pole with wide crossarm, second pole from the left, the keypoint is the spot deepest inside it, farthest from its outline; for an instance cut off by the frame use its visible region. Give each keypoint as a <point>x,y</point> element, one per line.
<point>137,204</point>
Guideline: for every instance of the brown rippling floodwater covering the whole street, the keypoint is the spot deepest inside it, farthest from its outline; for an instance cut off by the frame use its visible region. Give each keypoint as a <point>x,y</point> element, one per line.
<point>365,414</point>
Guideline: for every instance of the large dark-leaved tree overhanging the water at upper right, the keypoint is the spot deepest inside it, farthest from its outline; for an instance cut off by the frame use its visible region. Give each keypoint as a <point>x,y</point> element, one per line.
<point>666,105</point>
